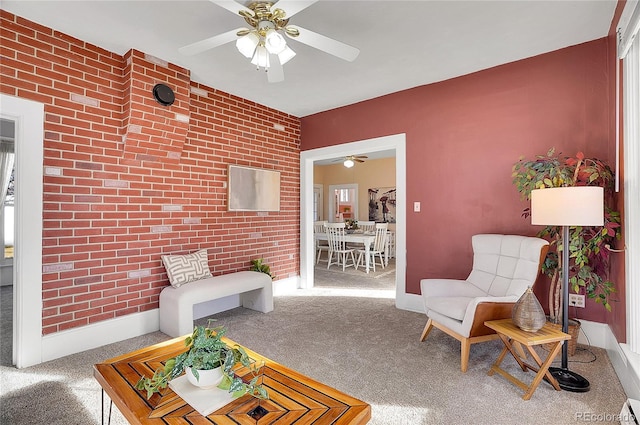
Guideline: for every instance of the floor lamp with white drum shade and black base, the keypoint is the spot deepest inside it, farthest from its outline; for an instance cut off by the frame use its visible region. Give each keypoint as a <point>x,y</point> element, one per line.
<point>566,207</point>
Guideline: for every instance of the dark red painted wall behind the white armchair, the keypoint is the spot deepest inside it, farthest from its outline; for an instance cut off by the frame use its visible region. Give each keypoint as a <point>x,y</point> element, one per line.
<point>463,136</point>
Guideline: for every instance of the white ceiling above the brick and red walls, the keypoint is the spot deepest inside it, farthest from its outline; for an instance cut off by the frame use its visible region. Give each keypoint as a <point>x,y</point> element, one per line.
<point>403,44</point>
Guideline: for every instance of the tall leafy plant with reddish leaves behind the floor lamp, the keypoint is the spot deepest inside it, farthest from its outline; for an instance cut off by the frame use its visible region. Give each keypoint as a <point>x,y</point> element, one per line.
<point>589,247</point>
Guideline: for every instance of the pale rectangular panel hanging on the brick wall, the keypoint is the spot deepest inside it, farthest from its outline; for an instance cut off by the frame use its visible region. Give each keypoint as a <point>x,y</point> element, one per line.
<point>252,189</point>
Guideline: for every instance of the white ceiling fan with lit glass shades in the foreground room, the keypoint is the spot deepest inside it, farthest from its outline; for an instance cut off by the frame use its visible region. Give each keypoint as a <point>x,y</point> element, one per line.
<point>263,42</point>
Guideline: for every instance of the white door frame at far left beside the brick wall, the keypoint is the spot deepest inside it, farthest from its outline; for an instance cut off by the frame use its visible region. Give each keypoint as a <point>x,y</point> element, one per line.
<point>27,294</point>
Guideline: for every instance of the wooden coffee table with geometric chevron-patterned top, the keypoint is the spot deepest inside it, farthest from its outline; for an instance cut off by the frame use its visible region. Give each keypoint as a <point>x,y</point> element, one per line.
<point>293,397</point>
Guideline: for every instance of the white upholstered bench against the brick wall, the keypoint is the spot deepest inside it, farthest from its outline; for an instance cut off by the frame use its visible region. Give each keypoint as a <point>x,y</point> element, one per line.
<point>176,304</point>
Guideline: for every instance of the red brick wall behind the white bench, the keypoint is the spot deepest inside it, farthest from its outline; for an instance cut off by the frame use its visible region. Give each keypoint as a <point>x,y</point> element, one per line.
<point>127,180</point>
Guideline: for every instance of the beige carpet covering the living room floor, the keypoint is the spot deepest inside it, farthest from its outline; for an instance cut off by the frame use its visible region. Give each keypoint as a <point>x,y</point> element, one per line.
<point>353,339</point>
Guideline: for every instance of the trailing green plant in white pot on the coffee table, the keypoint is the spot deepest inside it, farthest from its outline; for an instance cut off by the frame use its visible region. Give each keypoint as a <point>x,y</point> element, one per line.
<point>206,352</point>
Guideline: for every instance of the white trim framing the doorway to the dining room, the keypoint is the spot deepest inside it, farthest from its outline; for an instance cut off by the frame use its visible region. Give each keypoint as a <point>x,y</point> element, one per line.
<point>307,250</point>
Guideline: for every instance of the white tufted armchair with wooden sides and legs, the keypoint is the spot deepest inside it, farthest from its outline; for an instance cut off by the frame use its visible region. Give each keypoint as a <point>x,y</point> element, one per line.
<point>503,267</point>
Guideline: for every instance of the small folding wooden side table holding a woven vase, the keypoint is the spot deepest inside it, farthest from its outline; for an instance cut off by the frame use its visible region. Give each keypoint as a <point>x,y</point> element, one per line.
<point>510,333</point>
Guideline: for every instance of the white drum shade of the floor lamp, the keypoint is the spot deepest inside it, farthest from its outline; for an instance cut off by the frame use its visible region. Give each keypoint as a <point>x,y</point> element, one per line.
<point>568,206</point>
